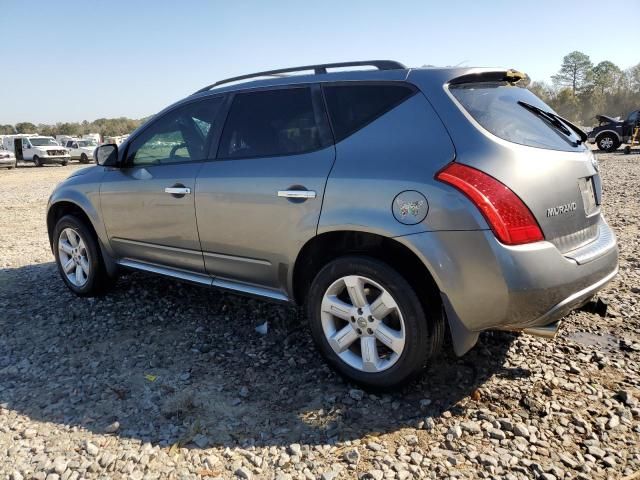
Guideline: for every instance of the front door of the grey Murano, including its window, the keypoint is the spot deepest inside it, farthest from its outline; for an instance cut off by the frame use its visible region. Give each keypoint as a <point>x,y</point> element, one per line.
<point>148,203</point>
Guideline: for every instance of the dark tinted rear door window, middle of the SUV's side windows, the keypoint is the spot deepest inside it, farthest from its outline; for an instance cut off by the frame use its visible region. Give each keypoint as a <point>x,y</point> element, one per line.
<point>271,123</point>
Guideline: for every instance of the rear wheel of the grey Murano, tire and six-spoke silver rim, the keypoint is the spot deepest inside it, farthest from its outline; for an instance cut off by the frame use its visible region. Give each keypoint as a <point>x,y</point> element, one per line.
<point>421,336</point>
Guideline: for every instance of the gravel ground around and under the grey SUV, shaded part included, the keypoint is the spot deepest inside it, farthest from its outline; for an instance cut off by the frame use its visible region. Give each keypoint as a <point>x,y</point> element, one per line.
<point>165,380</point>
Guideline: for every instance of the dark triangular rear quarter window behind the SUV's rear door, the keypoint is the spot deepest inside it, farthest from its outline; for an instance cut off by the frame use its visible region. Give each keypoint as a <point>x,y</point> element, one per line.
<point>352,107</point>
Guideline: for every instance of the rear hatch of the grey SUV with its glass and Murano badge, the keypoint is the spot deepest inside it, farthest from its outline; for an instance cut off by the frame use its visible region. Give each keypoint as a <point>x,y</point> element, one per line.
<point>541,157</point>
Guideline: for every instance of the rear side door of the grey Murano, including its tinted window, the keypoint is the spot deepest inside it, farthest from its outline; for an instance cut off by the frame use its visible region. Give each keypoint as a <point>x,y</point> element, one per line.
<point>260,201</point>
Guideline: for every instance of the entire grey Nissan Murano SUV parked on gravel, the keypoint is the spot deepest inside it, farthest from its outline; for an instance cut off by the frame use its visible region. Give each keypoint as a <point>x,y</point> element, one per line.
<point>396,204</point>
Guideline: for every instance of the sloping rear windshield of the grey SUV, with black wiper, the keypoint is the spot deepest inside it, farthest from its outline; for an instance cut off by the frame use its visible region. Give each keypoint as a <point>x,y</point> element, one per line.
<point>494,105</point>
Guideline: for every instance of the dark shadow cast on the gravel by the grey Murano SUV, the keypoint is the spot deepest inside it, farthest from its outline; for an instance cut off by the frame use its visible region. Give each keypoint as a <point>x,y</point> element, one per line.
<point>175,363</point>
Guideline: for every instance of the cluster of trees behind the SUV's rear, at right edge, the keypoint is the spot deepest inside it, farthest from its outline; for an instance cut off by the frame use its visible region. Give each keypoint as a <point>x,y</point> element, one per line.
<point>581,90</point>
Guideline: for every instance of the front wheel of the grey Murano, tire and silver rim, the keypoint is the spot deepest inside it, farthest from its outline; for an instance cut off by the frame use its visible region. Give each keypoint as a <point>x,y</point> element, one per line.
<point>87,282</point>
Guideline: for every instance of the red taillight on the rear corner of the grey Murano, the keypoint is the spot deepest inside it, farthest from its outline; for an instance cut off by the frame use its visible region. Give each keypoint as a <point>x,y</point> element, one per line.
<point>509,218</point>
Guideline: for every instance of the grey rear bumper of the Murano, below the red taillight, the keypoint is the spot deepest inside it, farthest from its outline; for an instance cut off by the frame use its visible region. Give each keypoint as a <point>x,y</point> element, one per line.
<point>488,285</point>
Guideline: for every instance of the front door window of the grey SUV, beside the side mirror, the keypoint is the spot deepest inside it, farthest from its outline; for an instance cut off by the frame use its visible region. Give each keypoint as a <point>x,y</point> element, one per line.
<point>182,135</point>
